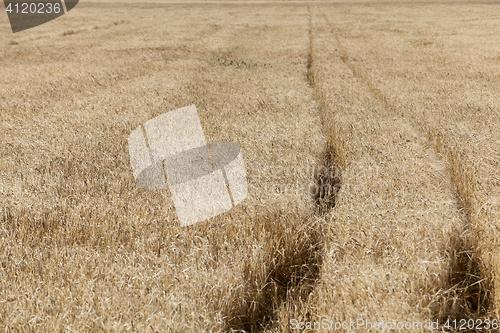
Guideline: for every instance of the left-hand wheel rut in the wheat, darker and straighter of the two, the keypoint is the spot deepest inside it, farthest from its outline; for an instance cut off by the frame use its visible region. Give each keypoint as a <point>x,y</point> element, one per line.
<point>284,289</point>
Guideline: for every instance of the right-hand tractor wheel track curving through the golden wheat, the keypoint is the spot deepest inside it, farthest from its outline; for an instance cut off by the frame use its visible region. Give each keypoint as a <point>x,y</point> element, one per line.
<point>468,290</point>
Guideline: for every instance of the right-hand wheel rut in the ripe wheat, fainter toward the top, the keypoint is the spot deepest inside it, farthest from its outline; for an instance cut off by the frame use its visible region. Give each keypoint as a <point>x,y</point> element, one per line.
<point>466,293</point>
